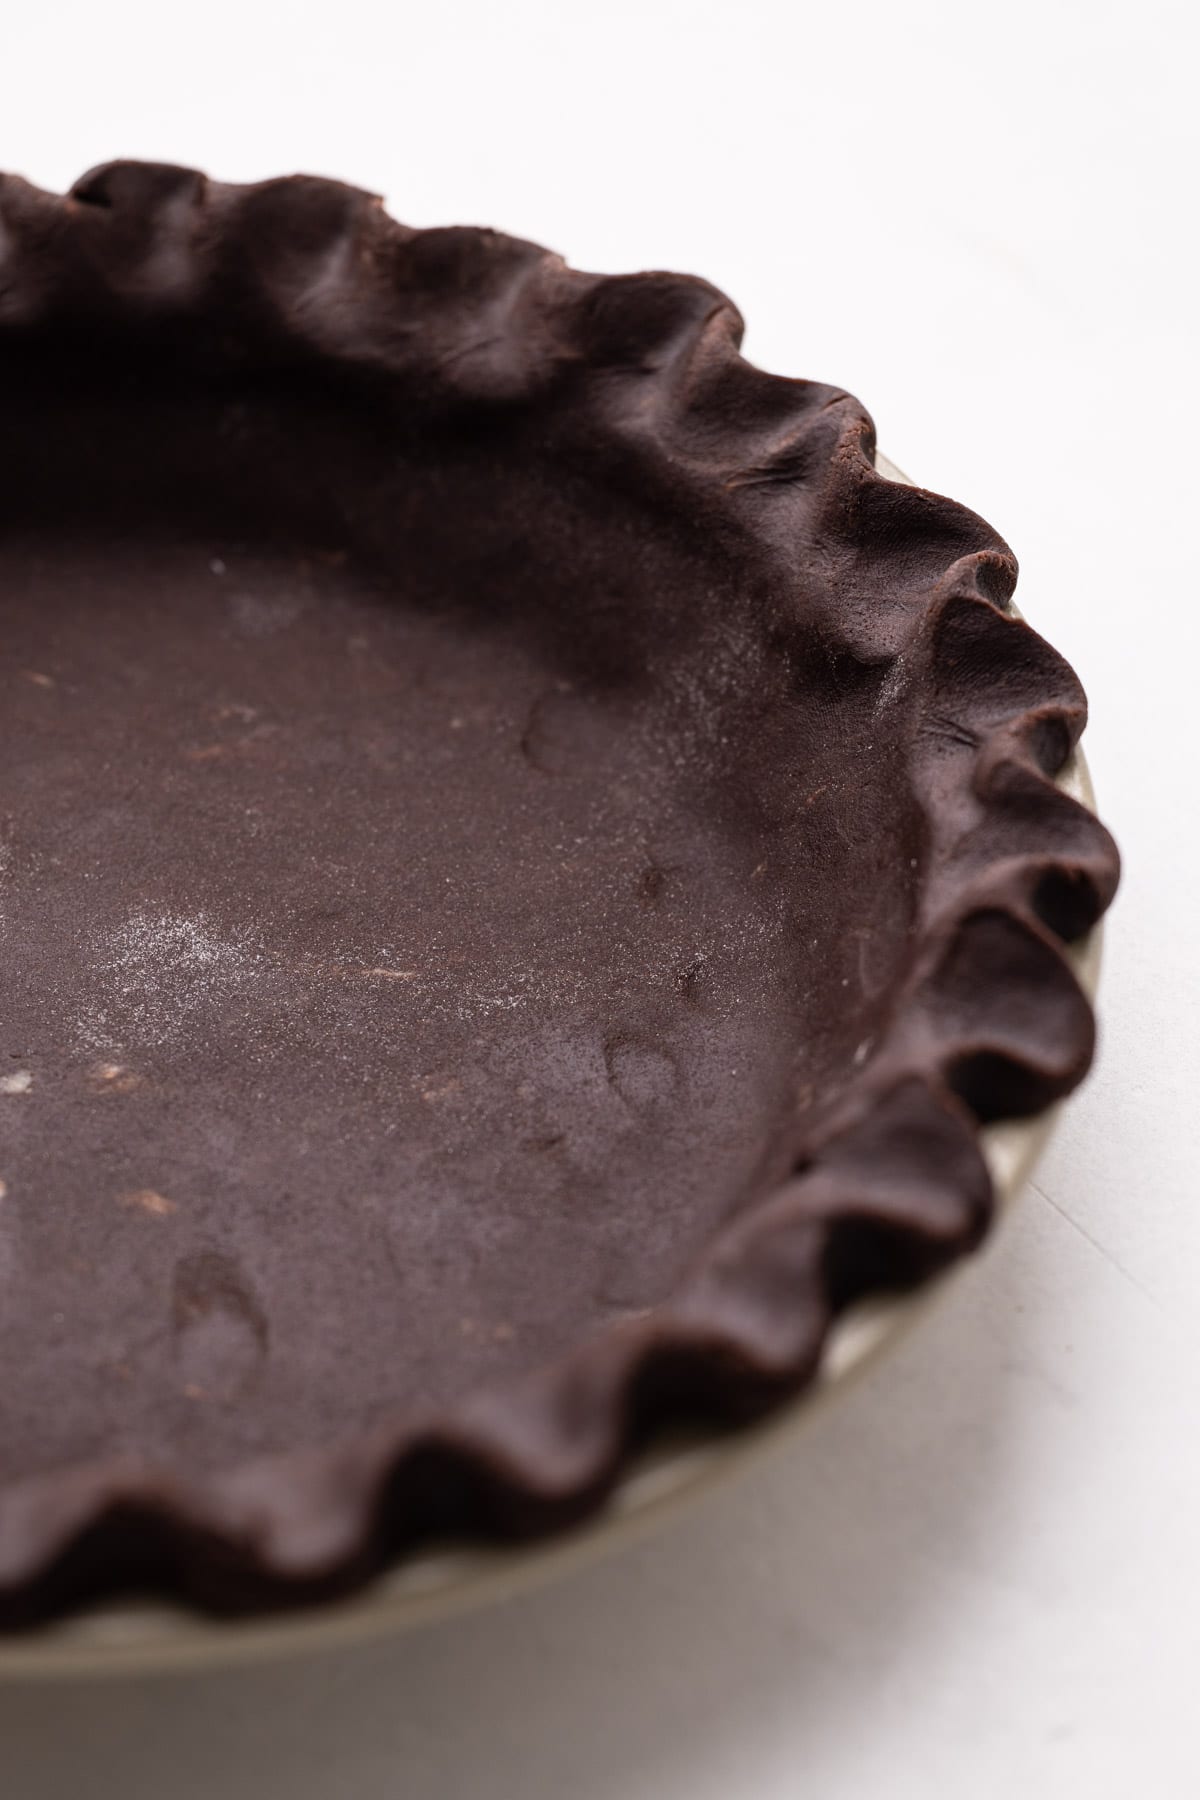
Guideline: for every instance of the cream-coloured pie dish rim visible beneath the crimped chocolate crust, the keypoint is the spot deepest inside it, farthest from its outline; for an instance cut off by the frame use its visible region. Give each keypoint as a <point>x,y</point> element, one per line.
<point>141,1637</point>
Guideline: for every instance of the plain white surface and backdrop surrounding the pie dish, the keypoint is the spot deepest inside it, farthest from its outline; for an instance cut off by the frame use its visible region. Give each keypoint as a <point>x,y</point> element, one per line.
<point>980,1574</point>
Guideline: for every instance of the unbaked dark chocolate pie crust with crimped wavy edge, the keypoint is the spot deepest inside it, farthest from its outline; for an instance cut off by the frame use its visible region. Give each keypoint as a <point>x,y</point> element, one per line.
<point>528,865</point>
